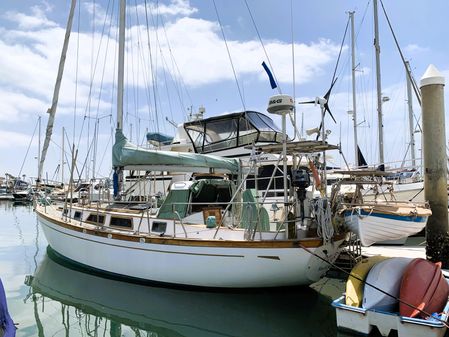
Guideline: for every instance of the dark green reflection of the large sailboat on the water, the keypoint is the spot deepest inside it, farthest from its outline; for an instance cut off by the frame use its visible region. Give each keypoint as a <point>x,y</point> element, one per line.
<point>73,300</point>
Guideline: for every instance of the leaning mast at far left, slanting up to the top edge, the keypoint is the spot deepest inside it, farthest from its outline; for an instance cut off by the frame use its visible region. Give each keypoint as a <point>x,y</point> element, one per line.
<point>52,110</point>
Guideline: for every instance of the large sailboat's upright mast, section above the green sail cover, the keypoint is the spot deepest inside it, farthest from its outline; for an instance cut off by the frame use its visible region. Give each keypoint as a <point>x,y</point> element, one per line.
<point>121,65</point>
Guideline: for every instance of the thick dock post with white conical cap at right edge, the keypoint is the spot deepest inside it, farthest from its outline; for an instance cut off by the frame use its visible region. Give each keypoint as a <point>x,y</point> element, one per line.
<point>435,165</point>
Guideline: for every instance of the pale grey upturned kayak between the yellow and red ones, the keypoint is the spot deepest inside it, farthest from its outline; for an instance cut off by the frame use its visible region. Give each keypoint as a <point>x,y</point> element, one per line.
<point>385,275</point>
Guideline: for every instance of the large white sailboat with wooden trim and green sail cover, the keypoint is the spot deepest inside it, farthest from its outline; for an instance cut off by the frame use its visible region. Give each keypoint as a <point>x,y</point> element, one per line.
<point>208,232</point>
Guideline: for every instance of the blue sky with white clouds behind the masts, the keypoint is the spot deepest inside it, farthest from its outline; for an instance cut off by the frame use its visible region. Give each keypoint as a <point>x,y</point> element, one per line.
<point>183,54</point>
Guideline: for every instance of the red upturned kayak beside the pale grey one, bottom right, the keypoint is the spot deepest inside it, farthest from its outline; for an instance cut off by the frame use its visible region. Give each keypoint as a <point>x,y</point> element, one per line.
<point>424,287</point>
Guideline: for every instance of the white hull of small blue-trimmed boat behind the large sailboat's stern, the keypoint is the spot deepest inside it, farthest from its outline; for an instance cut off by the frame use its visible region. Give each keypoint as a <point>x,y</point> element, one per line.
<point>375,227</point>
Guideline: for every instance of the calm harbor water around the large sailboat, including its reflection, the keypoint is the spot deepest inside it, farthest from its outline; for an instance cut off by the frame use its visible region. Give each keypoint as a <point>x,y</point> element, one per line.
<point>46,297</point>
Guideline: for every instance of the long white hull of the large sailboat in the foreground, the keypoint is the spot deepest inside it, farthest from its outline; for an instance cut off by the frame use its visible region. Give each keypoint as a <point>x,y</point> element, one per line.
<point>183,262</point>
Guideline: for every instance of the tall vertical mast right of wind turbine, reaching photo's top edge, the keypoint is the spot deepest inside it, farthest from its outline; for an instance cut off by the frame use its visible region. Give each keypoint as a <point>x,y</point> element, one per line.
<point>379,88</point>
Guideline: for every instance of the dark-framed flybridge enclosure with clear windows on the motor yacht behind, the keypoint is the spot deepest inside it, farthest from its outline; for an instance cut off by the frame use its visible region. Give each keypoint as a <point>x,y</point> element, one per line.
<point>233,130</point>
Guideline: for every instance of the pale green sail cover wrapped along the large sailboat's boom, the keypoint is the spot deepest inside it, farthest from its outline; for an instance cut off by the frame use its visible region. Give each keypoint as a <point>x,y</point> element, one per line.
<point>128,155</point>
